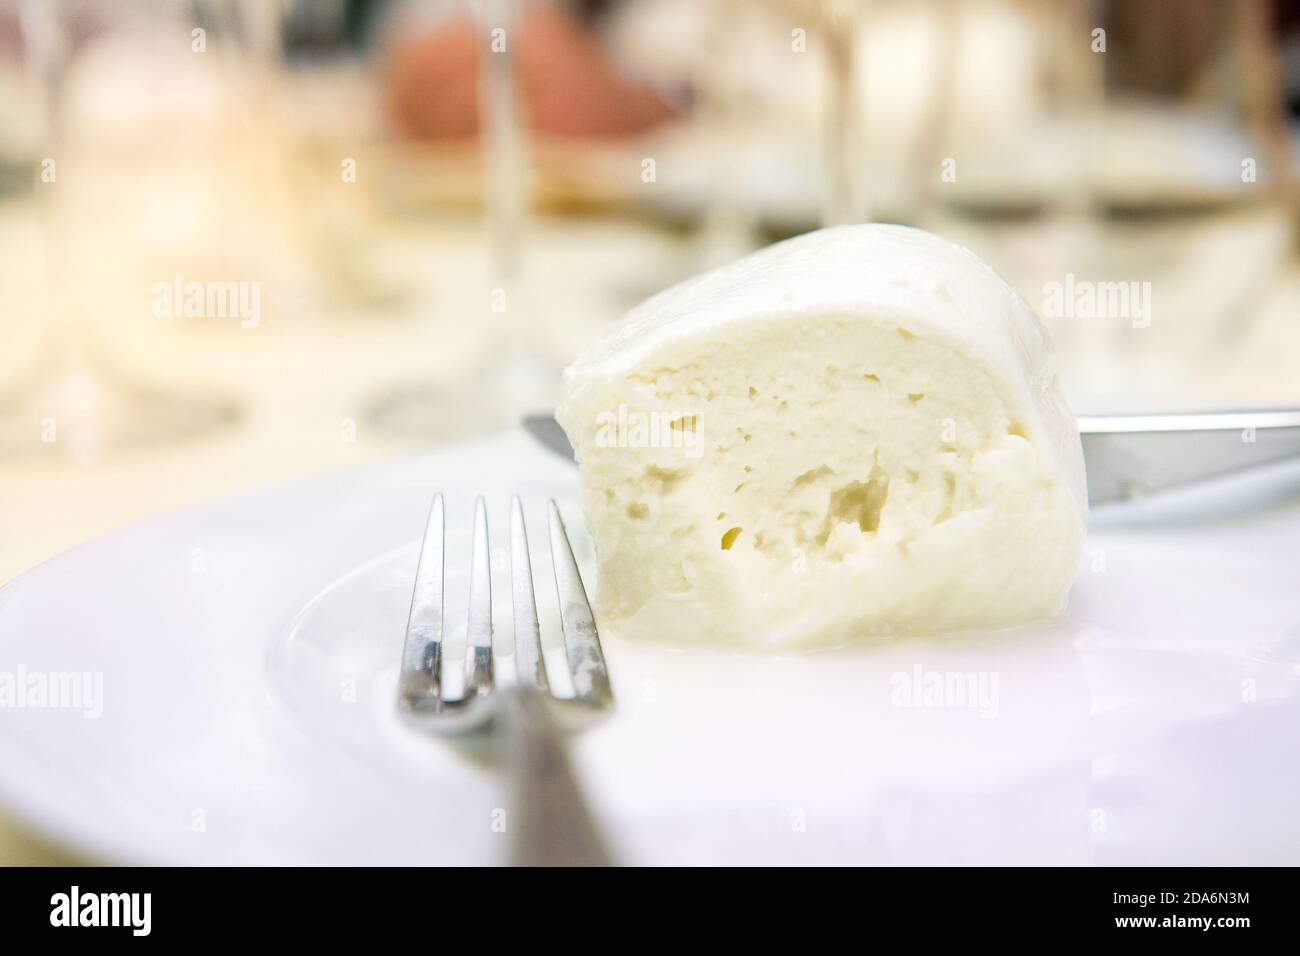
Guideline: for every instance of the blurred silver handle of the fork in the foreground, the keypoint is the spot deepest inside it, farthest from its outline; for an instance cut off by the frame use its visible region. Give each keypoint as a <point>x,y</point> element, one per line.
<point>551,823</point>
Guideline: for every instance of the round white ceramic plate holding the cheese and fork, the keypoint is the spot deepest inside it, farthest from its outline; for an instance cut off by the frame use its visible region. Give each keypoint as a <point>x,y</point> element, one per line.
<point>248,654</point>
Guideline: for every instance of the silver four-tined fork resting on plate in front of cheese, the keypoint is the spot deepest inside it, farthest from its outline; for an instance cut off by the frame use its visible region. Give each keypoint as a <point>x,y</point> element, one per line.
<point>549,821</point>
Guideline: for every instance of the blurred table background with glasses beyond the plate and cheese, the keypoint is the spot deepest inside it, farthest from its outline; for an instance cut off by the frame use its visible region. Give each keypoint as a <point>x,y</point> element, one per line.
<point>245,240</point>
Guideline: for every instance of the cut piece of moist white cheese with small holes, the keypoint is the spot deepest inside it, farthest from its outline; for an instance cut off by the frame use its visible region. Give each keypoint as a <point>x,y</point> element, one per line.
<point>848,434</point>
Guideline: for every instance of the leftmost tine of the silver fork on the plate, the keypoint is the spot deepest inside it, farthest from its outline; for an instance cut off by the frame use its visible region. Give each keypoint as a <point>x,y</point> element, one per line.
<point>422,654</point>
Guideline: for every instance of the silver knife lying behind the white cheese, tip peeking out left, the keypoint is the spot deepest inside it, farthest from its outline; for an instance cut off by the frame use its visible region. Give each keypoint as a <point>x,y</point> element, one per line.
<point>1129,457</point>
